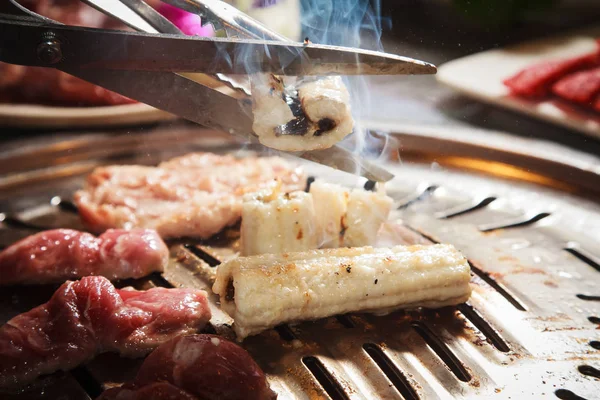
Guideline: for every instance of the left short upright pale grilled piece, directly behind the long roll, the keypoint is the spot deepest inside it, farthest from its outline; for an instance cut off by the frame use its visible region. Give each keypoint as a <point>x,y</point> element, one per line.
<point>276,222</point>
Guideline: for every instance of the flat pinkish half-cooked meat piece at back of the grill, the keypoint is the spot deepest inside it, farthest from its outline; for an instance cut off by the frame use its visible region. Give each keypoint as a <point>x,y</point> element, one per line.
<point>196,195</point>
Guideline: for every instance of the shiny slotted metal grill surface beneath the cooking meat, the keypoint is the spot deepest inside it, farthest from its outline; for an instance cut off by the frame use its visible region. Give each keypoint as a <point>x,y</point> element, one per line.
<point>529,330</point>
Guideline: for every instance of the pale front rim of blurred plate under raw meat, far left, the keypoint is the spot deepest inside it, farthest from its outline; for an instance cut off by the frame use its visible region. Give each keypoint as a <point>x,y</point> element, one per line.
<point>36,116</point>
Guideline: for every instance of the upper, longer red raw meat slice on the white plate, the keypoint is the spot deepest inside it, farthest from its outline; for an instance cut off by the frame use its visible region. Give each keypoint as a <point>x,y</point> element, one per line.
<point>537,80</point>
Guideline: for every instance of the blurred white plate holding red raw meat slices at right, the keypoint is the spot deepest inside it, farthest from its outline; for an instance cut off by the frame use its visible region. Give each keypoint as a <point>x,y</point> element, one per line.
<point>480,75</point>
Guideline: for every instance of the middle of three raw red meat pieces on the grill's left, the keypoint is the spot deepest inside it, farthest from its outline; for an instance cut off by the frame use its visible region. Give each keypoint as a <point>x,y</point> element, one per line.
<point>87,317</point>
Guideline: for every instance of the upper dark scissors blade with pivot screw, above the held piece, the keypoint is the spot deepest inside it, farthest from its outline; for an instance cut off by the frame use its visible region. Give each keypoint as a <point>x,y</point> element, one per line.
<point>85,48</point>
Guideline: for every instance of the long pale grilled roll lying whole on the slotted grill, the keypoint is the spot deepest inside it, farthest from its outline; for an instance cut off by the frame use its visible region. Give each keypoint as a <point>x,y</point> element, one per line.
<point>260,292</point>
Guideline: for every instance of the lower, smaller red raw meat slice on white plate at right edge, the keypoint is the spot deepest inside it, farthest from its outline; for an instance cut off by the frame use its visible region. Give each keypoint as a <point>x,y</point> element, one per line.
<point>579,87</point>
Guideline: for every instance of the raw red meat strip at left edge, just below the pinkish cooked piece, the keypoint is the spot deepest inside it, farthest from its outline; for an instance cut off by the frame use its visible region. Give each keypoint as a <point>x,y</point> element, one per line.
<point>57,255</point>
